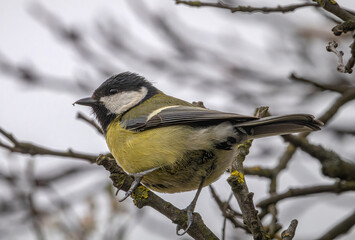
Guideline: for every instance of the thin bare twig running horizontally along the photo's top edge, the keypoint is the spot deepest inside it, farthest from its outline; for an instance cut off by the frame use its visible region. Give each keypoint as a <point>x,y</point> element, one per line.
<point>249,9</point>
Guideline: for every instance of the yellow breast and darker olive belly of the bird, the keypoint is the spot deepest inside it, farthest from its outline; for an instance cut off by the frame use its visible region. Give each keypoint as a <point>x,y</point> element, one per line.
<point>183,154</point>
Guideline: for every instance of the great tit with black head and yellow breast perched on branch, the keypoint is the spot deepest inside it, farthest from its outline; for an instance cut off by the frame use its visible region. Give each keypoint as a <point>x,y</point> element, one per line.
<point>170,145</point>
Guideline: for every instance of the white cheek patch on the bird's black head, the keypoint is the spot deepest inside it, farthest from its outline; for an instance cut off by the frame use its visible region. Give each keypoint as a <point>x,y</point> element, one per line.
<point>122,101</point>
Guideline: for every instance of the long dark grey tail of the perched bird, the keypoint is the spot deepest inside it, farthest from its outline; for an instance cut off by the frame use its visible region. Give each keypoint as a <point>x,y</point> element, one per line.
<point>280,125</point>
